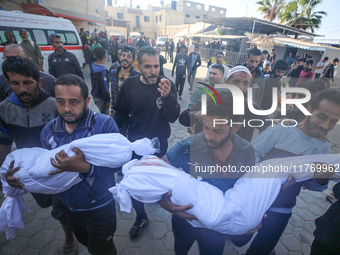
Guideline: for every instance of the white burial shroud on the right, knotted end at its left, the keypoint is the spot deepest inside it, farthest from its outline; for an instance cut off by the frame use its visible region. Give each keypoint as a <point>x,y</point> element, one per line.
<point>236,212</point>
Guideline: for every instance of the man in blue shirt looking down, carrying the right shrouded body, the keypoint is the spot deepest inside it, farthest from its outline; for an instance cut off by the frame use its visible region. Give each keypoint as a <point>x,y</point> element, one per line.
<point>216,145</point>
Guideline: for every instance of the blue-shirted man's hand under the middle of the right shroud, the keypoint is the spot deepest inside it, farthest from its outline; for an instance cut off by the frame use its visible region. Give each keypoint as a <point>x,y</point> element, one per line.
<point>179,211</point>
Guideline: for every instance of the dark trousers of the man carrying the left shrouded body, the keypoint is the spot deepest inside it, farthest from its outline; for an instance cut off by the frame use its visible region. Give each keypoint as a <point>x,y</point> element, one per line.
<point>95,228</point>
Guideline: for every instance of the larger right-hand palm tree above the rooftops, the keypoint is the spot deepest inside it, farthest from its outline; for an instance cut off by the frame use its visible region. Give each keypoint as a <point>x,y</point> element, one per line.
<point>300,14</point>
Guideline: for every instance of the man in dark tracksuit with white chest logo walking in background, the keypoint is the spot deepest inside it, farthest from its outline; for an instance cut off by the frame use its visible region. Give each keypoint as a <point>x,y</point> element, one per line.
<point>182,62</point>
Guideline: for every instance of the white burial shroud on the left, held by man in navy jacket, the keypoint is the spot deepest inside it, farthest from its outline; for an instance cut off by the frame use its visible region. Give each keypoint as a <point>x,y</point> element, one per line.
<point>109,150</point>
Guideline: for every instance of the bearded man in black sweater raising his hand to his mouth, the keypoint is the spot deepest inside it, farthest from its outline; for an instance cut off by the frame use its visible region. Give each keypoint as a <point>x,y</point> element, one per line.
<point>151,101</point>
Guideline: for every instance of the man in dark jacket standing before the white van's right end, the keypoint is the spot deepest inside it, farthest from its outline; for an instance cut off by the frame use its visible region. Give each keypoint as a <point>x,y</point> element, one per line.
<point>61,61</point>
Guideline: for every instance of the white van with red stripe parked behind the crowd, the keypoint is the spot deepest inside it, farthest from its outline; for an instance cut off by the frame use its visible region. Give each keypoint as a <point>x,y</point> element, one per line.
<point>39,28</point>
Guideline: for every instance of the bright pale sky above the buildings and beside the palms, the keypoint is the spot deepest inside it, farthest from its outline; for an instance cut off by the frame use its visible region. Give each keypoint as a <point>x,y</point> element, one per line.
<point>330,26</point>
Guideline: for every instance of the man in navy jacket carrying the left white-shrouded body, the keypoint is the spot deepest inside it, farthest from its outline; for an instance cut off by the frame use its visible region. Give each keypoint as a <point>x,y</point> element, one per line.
<point>88,205</point>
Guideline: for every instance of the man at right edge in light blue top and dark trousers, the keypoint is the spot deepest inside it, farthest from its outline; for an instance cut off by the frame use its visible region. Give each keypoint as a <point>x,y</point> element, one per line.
<point>280,142</point>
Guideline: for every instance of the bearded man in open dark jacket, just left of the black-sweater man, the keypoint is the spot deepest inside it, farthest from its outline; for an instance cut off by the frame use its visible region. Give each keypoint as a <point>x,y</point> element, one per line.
<point>120,74</point>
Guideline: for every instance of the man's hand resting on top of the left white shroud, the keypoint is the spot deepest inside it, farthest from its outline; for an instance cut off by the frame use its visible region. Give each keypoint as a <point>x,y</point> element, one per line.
<point>76,163</point>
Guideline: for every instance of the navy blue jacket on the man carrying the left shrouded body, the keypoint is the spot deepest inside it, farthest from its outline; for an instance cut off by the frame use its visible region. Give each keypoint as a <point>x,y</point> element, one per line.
<point>92,192</point>
